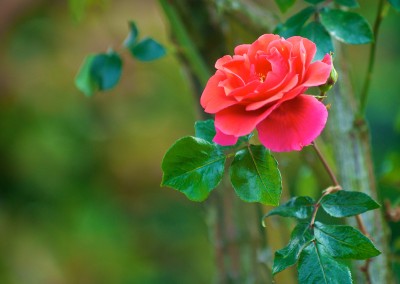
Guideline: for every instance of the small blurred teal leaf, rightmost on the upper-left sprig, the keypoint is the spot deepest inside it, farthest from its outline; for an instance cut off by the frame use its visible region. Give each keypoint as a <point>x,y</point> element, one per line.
<point>147,50</point>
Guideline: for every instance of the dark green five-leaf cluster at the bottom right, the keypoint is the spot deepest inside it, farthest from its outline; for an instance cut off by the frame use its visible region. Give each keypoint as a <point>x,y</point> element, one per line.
<point>319,249</point>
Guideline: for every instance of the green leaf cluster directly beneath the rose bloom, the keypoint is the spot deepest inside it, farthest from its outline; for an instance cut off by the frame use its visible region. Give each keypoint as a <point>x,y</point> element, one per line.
<point>195,166</point>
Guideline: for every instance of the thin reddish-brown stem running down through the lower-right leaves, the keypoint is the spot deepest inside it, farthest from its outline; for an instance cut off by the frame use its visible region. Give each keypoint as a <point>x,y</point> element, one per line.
<point>329,190</point>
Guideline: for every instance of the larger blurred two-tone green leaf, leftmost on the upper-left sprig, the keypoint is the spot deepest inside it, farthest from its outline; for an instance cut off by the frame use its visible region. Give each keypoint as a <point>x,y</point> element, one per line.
<point>99,72</point>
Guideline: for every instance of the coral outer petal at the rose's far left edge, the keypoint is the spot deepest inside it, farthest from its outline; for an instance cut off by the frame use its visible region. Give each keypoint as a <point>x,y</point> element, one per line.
<point>213,98</point>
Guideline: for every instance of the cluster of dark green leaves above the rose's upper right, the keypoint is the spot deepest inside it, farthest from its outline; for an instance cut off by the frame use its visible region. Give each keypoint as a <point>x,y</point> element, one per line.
<point>323,21</point>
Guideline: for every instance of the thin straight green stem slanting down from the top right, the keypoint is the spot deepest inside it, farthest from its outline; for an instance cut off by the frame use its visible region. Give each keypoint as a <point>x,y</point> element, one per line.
<point>367,81</point>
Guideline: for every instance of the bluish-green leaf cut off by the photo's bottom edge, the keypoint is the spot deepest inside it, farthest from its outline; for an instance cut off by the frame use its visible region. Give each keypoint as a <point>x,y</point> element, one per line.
<point>317,266</point>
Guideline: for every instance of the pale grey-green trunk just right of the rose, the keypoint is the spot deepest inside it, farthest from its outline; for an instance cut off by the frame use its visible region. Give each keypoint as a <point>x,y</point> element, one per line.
<point>352,151</point>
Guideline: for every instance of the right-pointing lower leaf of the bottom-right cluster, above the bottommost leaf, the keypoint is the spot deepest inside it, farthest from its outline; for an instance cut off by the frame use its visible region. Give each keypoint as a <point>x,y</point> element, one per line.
<point>344,241</point>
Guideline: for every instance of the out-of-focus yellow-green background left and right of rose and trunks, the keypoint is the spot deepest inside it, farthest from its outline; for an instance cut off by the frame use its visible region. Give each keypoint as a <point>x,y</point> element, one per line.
<point>80,200</point>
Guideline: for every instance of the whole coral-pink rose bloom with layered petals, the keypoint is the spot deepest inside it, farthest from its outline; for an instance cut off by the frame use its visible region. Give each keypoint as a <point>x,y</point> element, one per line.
<point>263,87</point>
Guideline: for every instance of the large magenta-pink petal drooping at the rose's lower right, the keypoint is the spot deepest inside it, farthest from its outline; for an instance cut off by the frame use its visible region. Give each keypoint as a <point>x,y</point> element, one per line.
<point>294,124</point>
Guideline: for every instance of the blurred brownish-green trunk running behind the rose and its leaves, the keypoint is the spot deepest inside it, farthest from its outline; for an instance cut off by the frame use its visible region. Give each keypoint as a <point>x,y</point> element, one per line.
<point>240,242</point>
